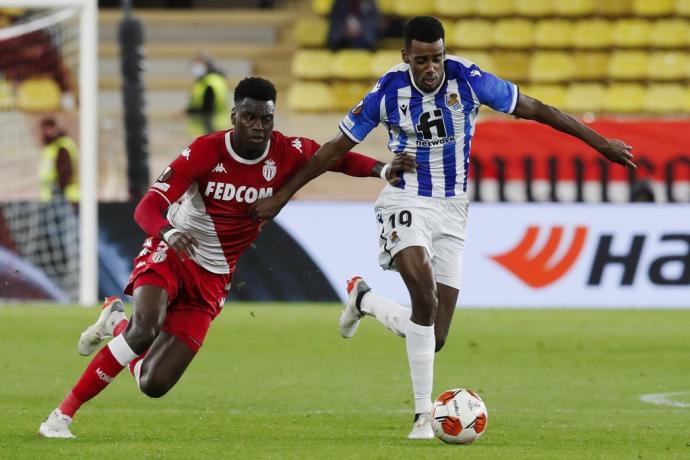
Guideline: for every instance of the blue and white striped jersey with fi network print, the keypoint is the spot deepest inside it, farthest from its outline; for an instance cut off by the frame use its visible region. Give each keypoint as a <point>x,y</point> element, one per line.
<point>436,128</point>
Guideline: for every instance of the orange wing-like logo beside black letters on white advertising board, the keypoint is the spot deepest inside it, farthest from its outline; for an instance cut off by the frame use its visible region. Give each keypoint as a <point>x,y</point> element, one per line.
<point>539,270</point>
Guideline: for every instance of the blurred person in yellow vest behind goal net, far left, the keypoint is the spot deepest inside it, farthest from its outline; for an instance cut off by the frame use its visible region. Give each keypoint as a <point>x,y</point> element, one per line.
<point>58,163</point>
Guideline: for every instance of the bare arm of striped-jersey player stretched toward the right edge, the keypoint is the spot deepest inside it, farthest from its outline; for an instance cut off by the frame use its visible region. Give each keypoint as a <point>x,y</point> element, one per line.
<point>613,149</point>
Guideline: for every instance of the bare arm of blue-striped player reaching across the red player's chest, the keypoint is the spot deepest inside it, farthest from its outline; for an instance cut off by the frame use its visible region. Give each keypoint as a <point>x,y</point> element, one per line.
<point>327,155</point>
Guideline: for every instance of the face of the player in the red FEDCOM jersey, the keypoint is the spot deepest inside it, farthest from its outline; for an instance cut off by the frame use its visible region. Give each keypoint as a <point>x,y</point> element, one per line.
<point>253,120</point>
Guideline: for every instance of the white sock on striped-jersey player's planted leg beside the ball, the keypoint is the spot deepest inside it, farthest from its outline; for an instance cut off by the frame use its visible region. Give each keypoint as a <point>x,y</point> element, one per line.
<point>420,343</point>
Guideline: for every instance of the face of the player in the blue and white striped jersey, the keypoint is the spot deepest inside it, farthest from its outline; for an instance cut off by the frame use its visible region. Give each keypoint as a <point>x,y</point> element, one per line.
<point>426,63</point>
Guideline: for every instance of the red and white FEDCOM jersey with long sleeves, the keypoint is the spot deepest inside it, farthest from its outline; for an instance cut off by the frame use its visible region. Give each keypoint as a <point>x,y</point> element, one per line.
<point>219,187</point>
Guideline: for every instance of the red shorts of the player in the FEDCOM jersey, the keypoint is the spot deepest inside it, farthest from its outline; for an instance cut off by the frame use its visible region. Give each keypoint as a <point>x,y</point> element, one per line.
<point>195,295</point>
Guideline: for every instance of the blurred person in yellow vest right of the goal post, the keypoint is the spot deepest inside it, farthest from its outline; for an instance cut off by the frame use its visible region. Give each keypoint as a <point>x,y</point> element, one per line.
<point>207,108</point>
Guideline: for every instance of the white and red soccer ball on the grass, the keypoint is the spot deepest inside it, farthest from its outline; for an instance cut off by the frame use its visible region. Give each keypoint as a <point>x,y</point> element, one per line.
<point>459,416</point>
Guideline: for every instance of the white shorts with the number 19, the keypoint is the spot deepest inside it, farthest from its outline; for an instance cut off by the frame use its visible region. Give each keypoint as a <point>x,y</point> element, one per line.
<point>436,224</point>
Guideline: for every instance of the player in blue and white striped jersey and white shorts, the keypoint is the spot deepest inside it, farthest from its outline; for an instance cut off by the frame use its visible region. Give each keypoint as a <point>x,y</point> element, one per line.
<point>429,105</point>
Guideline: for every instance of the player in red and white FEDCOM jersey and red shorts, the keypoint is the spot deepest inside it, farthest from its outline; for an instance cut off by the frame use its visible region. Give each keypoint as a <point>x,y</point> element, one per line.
<point>183,273</point>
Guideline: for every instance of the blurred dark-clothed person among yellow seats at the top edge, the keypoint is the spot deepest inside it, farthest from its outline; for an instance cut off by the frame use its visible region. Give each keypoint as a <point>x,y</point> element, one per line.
<point>353,24</point>
